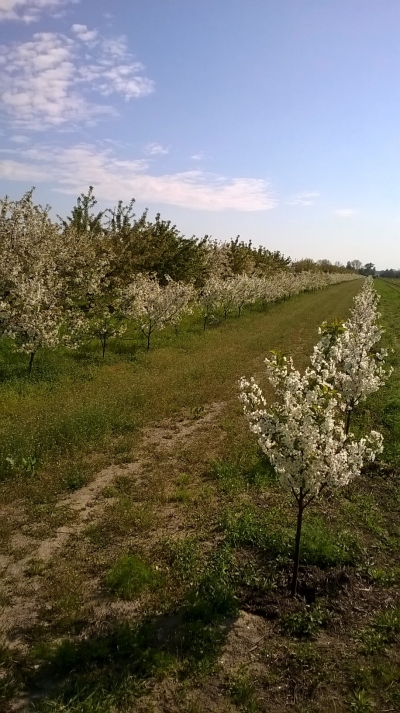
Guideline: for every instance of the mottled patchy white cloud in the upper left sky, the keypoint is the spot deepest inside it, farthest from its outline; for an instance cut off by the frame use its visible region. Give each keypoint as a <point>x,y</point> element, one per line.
<point>43,81</point>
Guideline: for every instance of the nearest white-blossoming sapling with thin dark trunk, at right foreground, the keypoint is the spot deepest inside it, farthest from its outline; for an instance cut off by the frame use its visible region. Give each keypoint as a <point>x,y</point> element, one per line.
<point>303,435</point>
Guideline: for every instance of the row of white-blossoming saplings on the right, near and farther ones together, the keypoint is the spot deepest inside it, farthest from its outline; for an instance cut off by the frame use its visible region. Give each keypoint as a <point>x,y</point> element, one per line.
<point>306,432</point>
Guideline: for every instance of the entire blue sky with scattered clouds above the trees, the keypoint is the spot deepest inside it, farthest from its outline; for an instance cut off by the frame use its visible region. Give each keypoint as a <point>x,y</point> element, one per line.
<point>275,120</point>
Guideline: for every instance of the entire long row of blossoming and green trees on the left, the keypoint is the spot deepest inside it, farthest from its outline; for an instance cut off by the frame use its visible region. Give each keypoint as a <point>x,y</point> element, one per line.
<point>89,275</point>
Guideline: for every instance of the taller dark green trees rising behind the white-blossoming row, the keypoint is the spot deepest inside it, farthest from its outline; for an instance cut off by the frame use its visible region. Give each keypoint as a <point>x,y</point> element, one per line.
<point>144,246</point>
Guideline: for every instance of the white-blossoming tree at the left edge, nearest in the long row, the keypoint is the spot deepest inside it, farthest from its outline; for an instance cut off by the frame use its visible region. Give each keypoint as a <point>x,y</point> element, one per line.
<point>32,294</point>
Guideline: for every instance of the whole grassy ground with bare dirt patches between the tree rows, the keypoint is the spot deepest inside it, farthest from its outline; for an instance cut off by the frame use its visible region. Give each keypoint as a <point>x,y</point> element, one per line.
<point>146,543</point>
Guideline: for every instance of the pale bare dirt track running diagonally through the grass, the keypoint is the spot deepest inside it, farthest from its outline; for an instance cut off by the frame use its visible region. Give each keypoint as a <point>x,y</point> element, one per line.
<point>86,506</point>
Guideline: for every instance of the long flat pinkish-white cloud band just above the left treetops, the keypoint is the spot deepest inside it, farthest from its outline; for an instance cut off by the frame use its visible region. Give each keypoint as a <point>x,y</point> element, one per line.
<point>73,169</point>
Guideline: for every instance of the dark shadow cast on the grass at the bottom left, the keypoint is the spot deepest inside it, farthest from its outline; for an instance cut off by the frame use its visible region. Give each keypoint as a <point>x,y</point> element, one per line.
<point>111,668</point>
